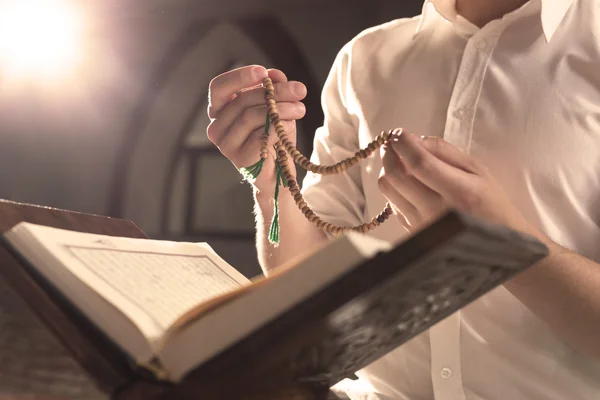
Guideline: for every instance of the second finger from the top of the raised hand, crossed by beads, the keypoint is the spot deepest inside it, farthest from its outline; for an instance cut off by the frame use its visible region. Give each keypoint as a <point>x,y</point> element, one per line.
<point>284,92</point>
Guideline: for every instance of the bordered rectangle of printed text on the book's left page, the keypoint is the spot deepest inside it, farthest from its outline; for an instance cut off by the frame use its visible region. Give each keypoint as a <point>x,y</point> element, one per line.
<point>164,286</point>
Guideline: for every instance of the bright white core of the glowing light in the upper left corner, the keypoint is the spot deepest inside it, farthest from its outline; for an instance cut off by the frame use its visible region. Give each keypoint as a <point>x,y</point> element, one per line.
<point>40,37</point>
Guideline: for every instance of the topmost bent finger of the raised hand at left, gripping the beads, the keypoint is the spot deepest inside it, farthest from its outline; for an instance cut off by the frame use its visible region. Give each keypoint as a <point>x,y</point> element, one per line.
<point>223,88</point>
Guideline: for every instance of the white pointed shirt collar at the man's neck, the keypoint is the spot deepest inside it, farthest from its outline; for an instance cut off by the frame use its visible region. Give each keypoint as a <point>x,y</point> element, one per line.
<point>552,14</point>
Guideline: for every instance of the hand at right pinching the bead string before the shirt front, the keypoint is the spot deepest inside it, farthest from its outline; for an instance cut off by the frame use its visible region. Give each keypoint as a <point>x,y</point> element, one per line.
<point>424,176</point>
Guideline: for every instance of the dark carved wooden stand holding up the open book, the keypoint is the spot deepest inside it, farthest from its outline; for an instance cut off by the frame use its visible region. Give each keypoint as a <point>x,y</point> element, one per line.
<point>302,353</point>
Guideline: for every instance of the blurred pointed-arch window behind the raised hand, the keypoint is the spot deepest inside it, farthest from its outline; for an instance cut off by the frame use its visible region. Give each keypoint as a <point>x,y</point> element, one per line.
<point>170,179</point>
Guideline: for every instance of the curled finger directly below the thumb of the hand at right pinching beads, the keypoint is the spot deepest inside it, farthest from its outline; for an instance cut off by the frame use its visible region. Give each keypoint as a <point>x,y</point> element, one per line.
<point>422,197</point>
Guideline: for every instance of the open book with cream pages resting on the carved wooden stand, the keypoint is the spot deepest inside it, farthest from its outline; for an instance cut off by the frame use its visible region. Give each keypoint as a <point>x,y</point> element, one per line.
<point>157,299</point>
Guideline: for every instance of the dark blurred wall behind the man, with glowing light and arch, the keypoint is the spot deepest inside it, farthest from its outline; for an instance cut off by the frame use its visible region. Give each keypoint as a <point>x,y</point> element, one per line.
<point>103,104</point>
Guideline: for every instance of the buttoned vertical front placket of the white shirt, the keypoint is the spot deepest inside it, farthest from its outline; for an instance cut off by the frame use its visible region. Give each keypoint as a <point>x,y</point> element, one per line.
<point>446,373</point>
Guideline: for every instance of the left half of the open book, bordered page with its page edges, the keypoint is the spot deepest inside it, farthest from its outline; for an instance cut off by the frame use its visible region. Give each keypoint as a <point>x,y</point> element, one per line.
<point>122,283</point>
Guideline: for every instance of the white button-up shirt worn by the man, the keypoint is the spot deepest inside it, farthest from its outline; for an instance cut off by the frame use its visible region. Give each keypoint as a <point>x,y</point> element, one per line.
<point>521,94</point>
